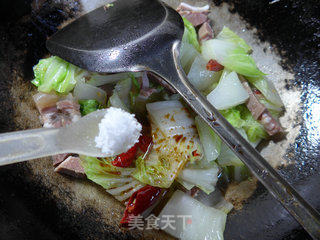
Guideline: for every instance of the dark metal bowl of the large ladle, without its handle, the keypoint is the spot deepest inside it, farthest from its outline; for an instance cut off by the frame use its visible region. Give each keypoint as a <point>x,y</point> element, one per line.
<point>120,38</point>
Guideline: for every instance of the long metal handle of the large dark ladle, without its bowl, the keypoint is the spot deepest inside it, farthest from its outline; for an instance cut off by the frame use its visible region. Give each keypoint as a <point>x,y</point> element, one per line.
<point>280,189</point>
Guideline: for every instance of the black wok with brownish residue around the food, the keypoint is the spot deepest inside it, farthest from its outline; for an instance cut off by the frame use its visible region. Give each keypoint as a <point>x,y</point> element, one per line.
<point>36,203</point>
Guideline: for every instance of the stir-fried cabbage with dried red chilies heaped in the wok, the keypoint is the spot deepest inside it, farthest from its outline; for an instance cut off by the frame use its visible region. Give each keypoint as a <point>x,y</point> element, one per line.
<point>181,146</point>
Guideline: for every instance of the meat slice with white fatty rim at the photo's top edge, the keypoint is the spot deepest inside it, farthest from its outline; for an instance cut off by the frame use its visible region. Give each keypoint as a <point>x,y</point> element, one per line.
<point>195,15</point>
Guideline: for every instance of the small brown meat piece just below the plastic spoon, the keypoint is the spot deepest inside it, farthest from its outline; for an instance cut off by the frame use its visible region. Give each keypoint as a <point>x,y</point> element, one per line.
<point>71,166</point>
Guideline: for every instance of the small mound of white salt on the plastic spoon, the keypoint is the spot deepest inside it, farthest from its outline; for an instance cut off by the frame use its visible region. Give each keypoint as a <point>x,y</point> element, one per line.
<point>118,132</point>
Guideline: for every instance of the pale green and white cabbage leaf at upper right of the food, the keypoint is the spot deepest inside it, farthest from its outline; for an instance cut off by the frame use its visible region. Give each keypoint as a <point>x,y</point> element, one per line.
<point>232,54</point>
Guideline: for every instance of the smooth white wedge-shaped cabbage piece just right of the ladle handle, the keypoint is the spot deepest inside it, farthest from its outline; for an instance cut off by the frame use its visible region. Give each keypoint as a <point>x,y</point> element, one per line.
<point>228,93</point>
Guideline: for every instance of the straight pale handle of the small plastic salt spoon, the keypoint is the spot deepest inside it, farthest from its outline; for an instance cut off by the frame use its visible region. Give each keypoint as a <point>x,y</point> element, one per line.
<point>29,144</point>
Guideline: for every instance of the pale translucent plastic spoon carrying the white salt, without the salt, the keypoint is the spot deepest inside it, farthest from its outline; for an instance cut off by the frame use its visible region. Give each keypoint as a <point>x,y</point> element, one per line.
<point>78,137</point>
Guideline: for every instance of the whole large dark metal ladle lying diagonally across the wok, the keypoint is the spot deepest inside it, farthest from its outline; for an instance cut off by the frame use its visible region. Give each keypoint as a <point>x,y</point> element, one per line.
<point>145,35</point>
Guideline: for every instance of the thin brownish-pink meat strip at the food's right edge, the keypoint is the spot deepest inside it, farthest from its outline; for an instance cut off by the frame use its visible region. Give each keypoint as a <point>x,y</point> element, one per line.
<point>261,113</point>
